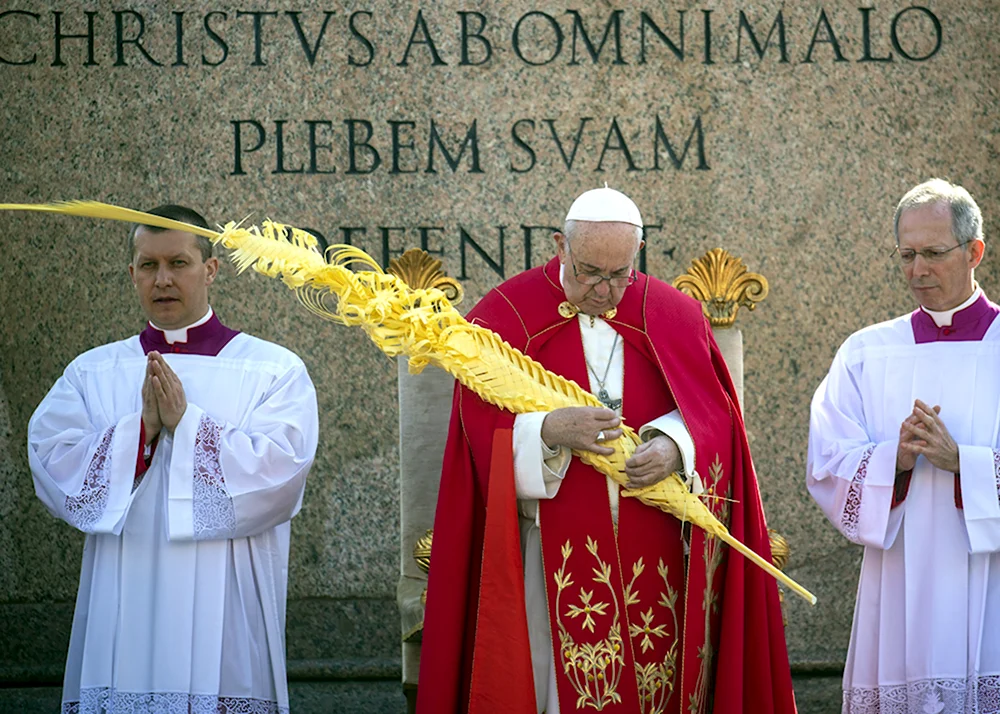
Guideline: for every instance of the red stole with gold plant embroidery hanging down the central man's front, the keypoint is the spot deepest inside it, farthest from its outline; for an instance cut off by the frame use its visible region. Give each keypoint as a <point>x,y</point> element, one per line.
<point>614,594</point>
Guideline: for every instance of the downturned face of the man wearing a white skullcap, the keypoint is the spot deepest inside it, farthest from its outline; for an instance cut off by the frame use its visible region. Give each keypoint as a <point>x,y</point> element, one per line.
<point>597,249</point>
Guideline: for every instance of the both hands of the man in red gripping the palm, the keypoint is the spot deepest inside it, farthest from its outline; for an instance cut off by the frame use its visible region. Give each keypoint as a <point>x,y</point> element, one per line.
<point>585,428</point>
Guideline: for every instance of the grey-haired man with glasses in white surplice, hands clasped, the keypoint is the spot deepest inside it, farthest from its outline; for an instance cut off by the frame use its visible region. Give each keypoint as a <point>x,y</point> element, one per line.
<point>904,458</point>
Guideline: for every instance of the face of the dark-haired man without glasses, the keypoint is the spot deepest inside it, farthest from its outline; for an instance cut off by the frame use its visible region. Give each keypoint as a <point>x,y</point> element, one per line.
<point>171,277</point>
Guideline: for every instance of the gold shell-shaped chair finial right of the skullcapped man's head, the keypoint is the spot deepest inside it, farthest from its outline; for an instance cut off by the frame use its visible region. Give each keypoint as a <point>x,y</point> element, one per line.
<point>723,284</point>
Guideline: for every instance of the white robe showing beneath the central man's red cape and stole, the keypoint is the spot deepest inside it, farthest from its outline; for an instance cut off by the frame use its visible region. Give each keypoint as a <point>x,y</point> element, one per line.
<point>538,473</point>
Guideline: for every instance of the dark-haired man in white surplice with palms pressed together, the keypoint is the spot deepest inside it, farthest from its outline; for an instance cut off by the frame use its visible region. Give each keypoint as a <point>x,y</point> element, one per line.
<point>182,453</point>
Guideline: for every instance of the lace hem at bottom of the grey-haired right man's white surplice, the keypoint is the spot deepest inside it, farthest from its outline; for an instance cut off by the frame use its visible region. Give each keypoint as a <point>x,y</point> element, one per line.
<point>976,694</point>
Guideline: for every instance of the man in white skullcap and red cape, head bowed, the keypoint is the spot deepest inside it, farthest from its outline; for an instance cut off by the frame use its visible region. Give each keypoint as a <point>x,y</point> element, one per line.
<point>606,603</point>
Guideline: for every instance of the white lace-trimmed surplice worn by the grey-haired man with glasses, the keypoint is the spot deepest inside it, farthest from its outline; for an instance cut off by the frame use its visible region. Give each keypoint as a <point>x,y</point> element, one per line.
<point>926,633</point>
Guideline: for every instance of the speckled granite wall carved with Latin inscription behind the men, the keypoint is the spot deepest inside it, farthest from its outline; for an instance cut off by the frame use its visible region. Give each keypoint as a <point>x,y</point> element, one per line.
<point>782,131</point>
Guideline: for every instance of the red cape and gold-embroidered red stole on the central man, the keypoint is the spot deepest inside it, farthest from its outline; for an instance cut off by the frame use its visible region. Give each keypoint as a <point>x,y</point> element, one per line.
<point>637,626</point>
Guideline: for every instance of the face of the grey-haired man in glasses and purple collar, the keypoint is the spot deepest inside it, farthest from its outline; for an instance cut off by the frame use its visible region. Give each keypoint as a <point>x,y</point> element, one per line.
<point>945,282</point>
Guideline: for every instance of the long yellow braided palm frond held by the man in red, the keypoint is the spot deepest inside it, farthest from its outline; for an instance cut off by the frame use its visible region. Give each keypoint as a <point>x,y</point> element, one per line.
<point>423,325</point>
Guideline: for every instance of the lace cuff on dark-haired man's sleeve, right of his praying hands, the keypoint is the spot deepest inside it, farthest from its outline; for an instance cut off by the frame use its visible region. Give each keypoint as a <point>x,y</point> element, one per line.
<point>214,515</point>
